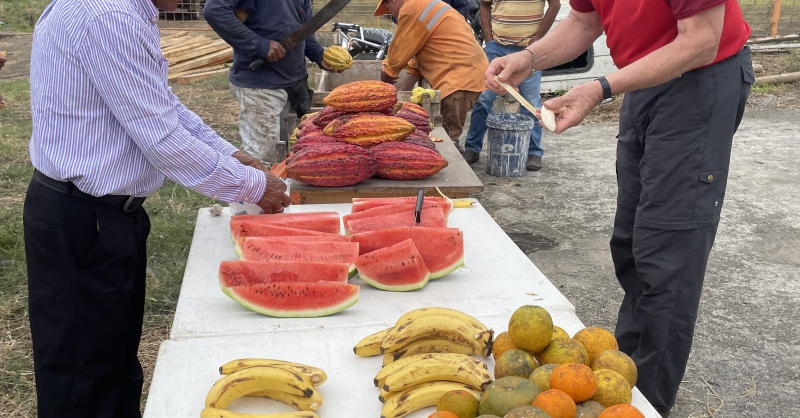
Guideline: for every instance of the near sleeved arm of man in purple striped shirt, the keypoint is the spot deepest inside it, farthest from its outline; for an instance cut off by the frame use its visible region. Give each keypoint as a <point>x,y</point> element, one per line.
<point>132,83</point>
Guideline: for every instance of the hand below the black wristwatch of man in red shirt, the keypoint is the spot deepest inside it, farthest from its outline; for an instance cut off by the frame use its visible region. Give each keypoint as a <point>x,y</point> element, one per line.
<point>574,105</point>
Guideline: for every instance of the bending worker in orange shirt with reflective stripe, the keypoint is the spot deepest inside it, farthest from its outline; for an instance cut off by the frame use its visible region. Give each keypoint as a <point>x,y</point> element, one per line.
<point>433,41</point>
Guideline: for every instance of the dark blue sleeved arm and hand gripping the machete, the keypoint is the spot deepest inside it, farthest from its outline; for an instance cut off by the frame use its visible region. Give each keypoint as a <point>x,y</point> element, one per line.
<point>221,16</point>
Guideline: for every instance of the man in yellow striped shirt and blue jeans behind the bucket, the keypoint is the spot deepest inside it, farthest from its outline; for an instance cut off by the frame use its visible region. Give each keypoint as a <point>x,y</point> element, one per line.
<point>509,26</point>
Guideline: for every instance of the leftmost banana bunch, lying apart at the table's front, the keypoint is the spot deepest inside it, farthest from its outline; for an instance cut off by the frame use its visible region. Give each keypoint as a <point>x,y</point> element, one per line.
<point>290,383</point>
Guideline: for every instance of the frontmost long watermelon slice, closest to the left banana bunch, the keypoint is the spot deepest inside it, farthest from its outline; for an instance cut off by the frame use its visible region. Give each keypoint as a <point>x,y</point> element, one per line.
<point>296,300</point>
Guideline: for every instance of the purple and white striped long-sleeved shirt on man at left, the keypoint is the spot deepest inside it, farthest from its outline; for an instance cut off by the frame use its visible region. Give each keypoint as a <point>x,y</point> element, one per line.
<point>104,116</point>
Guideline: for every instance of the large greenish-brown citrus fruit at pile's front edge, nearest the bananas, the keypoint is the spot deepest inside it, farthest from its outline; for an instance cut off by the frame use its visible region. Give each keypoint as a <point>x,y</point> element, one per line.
<point>507,393</point>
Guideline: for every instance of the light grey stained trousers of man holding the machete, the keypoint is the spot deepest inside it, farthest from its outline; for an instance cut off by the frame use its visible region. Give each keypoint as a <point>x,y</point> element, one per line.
<point>263,123</point>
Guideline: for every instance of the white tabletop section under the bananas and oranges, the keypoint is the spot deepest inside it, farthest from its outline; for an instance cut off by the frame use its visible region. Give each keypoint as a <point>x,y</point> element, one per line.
<point>186,369</point>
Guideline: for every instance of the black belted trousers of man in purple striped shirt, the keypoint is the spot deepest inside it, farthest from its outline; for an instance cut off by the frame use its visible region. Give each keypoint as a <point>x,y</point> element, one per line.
<point>86,282</point>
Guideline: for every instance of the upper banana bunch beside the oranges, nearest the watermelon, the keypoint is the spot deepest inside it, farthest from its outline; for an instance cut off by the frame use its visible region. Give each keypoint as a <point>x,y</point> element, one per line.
<point>429,330</point>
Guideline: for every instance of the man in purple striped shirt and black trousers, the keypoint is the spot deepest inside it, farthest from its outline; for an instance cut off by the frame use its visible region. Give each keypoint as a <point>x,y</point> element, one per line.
<point>107,132</point>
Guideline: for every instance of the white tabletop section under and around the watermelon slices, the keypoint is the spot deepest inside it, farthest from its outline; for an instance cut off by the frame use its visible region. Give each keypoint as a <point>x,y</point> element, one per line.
<point>497,279</point>
